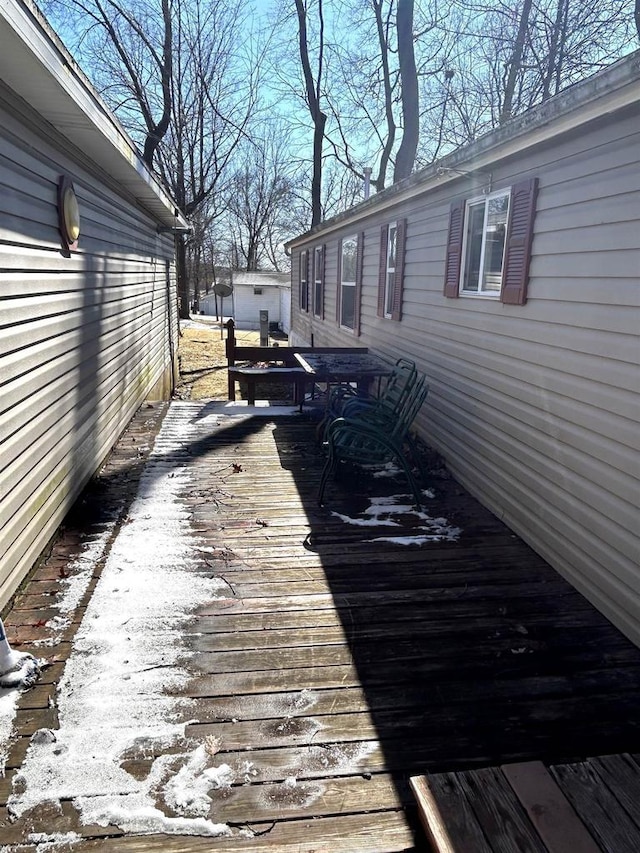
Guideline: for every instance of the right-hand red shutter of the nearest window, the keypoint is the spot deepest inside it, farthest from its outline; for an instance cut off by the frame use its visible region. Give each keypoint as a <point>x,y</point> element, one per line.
<point>515,273</point>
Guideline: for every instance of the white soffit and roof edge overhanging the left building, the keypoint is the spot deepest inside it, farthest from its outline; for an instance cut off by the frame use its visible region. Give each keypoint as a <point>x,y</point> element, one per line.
<point>36,66</point>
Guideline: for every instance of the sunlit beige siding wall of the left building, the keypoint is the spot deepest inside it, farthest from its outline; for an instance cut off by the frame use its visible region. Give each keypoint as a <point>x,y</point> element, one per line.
<point>84,339</point>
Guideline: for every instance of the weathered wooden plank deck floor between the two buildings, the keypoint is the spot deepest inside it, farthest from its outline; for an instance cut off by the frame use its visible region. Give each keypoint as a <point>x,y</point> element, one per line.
<point>340,665</point>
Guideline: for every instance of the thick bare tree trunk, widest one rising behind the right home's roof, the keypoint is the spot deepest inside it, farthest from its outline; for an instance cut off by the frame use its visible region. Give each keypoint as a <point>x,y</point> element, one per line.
<point>406,156</point>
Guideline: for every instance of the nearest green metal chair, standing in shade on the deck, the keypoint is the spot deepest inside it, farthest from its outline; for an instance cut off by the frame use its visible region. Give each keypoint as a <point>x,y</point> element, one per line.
<point>374,439</point>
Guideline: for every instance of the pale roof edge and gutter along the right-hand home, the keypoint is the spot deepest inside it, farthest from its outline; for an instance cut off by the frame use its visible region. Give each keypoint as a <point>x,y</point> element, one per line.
<point>615,88</point>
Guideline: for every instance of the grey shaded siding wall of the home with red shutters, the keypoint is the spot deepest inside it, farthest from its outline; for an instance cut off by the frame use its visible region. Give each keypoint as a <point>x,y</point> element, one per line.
<point>535,406</point>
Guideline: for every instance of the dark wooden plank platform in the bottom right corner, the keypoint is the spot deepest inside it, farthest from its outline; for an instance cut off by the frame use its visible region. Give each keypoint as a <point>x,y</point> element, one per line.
<point>587,807</point>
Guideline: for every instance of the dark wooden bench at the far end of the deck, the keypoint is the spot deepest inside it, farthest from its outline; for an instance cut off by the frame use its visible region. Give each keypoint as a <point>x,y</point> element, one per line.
<point>272,364</point>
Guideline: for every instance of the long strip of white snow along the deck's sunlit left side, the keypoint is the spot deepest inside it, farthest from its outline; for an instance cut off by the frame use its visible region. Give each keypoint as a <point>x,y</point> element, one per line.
<point>128,652</point>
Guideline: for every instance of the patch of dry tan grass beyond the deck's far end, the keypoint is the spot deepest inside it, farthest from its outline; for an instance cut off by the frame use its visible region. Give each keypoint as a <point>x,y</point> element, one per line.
<point>203,366</point>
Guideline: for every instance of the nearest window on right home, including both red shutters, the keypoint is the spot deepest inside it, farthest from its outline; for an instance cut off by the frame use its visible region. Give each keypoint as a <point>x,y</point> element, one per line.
<point>489,244</point>
